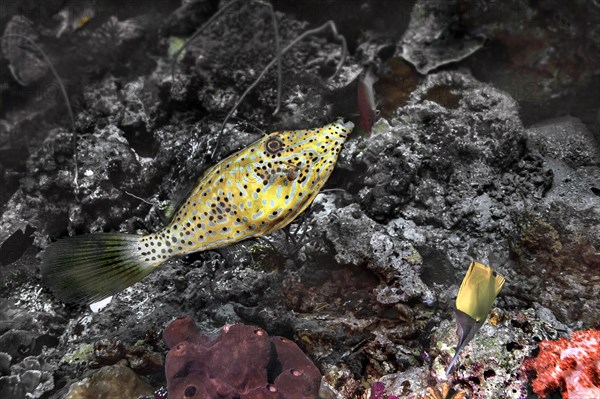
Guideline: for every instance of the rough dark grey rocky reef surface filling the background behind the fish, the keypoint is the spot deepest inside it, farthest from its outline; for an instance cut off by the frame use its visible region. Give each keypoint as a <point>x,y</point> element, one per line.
<point>364,282</point>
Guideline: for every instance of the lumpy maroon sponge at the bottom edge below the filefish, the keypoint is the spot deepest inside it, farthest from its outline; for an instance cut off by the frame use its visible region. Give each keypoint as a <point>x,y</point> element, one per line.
<point>242,361</point>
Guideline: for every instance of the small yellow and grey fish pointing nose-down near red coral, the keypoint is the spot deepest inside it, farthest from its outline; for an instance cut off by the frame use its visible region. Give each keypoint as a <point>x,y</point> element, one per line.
<point>474,302</point>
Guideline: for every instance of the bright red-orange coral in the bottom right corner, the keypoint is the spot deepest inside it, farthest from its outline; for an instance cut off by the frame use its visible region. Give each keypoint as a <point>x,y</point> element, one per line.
<point>573,366</point>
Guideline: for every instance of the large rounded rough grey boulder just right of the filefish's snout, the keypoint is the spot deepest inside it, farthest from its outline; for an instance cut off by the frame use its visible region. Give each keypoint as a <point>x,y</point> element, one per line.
<point>438,159</point>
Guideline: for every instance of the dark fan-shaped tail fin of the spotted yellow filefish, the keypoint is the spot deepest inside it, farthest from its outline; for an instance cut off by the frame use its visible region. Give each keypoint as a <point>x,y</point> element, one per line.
<point>92,267</point>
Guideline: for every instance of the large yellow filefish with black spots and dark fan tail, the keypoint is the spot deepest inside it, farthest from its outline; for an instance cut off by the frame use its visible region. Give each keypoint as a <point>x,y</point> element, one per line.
<point>251,193</point>
